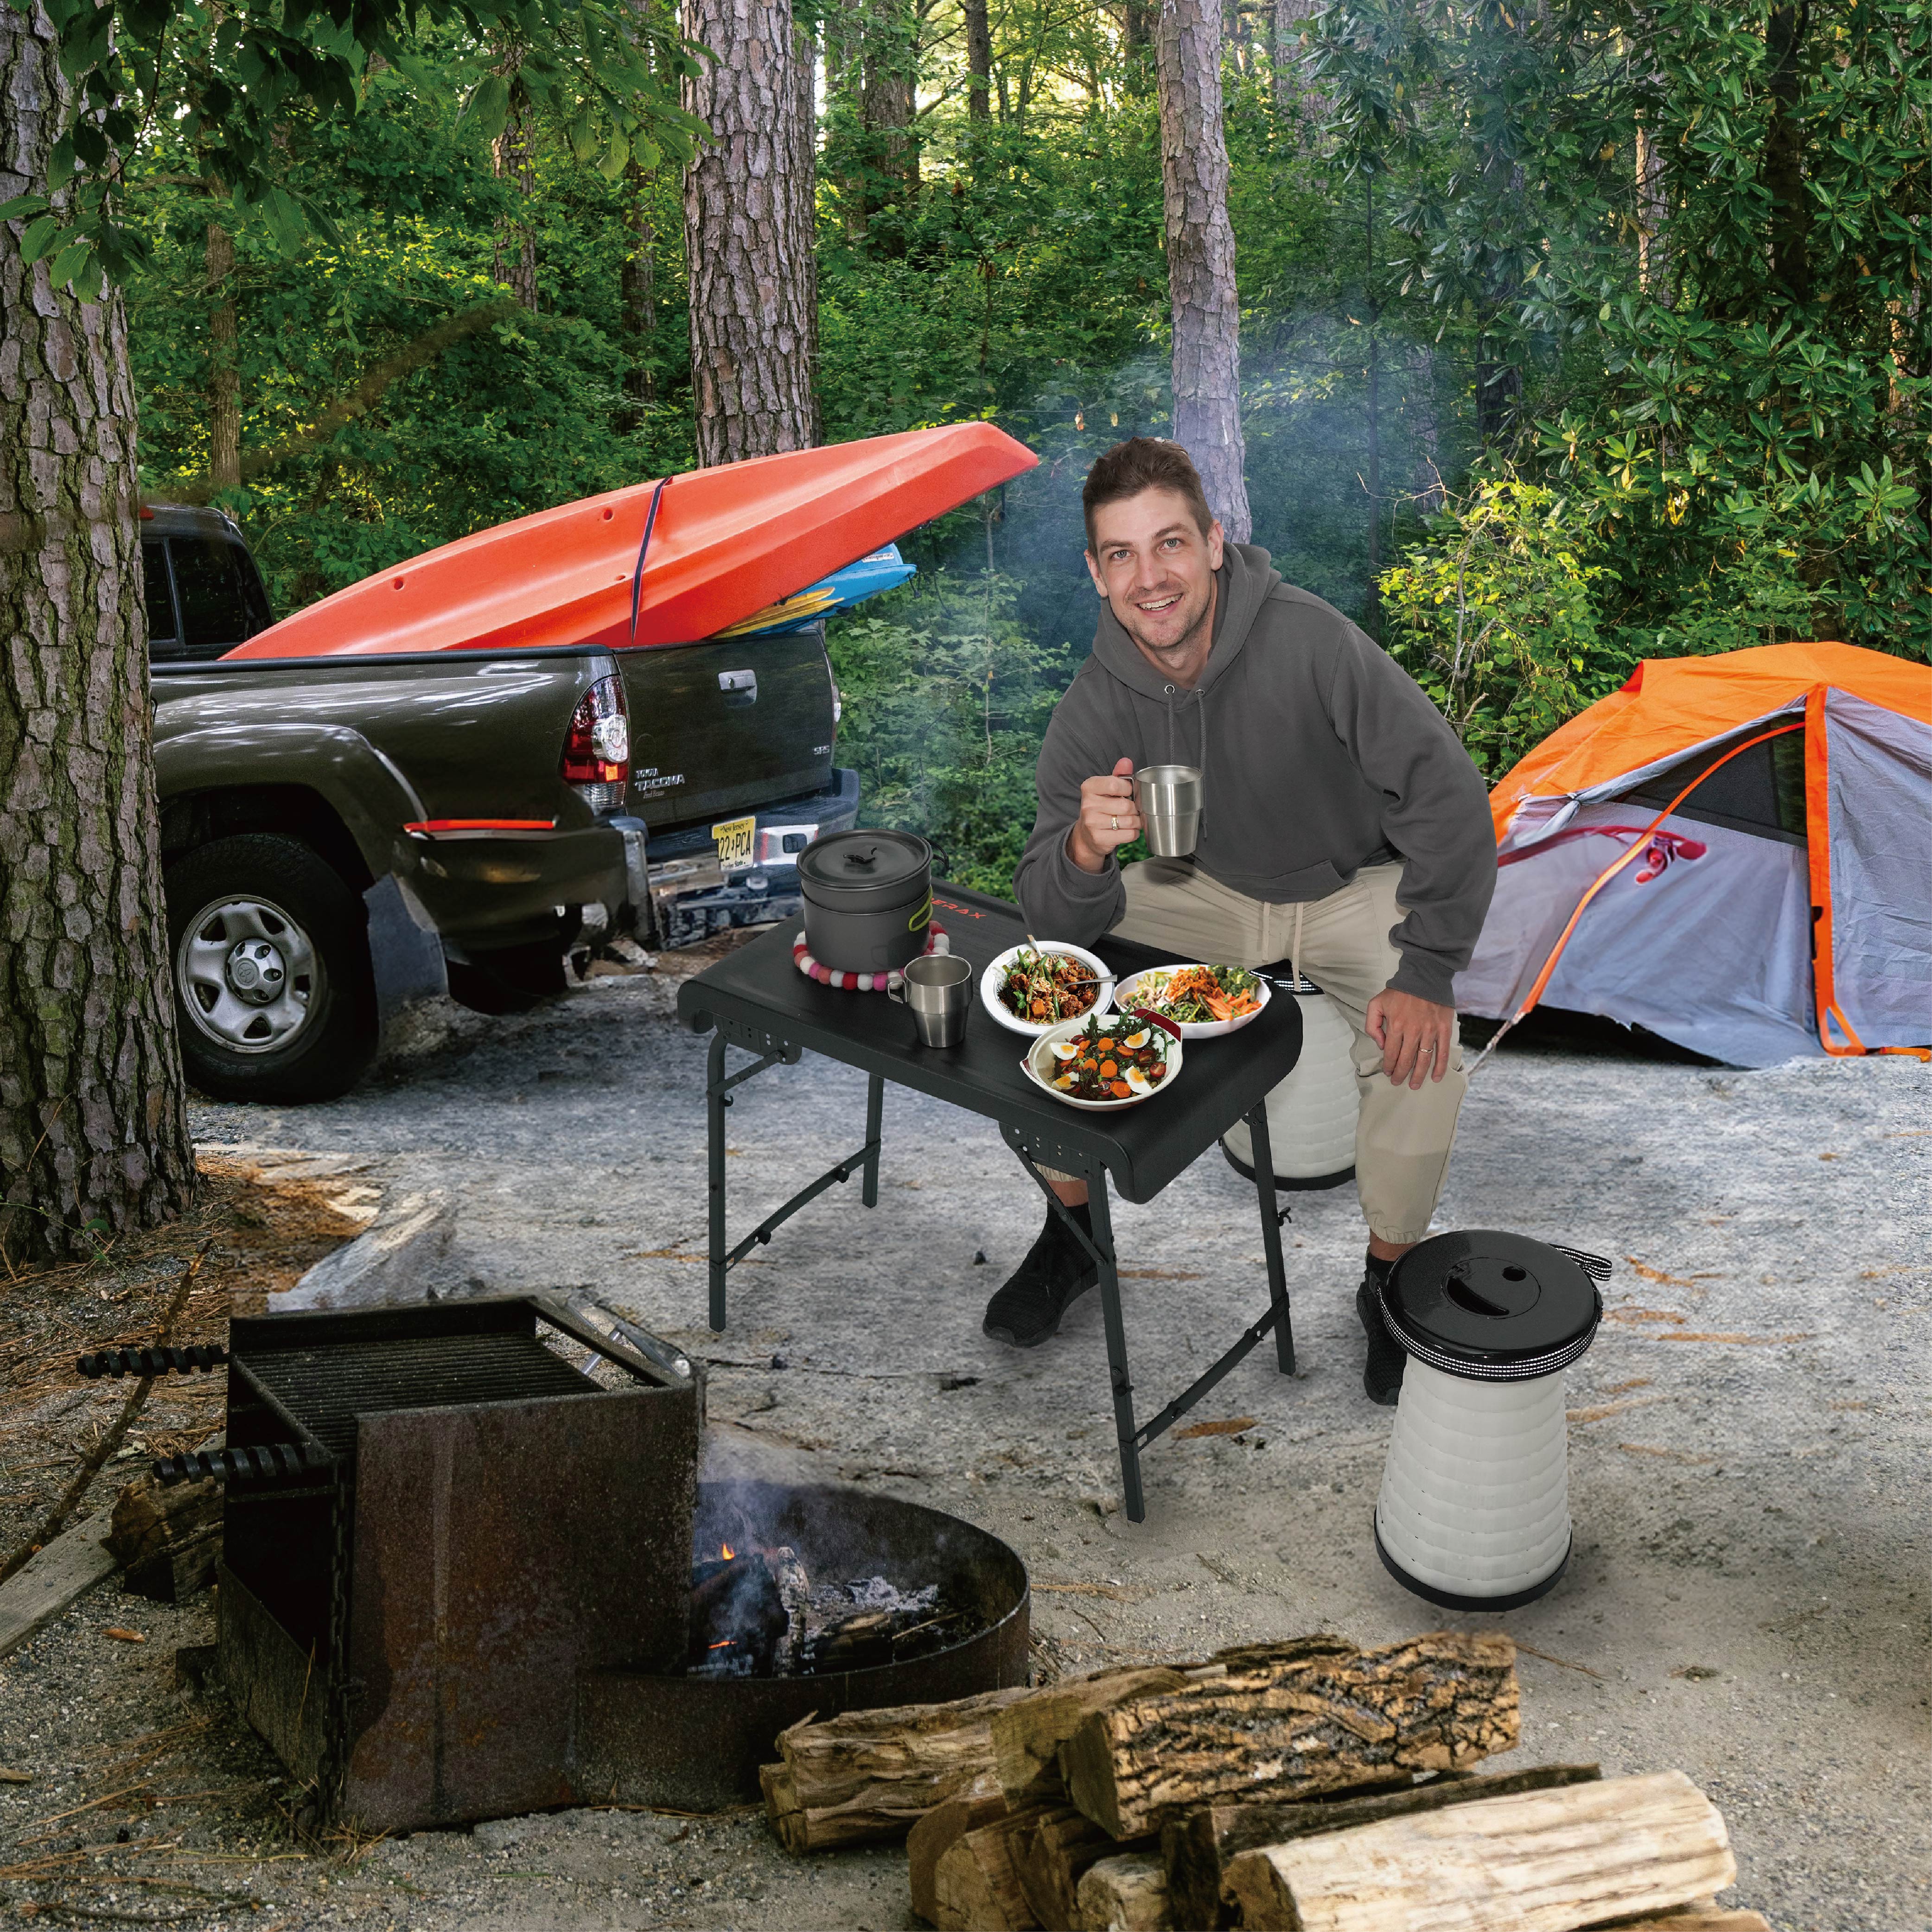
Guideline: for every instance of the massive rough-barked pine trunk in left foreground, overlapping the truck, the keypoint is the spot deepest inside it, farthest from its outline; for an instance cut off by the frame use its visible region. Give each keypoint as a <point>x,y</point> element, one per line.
<point>94,1127</point>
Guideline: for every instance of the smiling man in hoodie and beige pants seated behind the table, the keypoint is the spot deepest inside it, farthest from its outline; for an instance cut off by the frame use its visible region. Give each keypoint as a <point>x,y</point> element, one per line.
<point>1344,828</point>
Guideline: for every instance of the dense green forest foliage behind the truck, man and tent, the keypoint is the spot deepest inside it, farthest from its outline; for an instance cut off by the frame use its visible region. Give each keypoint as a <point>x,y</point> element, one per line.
<point>1570,335</point>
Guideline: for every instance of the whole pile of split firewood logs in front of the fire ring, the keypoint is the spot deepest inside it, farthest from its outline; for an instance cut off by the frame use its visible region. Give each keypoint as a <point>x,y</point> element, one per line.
<point>1305,1786</point>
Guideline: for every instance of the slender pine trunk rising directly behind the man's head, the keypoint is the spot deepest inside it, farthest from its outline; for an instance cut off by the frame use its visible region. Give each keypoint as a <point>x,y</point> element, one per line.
<point>1201,258</point>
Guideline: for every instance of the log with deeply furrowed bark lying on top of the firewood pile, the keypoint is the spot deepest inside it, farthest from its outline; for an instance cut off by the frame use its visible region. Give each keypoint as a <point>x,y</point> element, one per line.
<point>1293,1722</point>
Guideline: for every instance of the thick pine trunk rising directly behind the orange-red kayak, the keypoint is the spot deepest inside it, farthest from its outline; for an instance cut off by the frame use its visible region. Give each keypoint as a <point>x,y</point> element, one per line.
<point>751,264</point>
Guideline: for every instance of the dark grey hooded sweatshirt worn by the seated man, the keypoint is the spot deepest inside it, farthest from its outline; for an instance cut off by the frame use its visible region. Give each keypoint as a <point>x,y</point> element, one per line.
<point>1319,756</point>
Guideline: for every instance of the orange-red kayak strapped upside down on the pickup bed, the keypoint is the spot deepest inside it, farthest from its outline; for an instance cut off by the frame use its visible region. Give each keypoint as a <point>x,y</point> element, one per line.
<point>658,563</point>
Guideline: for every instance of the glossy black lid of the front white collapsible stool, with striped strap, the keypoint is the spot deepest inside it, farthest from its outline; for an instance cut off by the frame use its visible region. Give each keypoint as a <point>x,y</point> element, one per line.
<point>1494,1307</point>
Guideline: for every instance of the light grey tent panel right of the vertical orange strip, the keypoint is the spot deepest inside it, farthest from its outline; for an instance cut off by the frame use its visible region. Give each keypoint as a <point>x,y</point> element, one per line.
<point>1881,803</point>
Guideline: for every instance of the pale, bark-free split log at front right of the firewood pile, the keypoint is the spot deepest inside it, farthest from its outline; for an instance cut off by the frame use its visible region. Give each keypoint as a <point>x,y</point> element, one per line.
<point>1543,1861</point>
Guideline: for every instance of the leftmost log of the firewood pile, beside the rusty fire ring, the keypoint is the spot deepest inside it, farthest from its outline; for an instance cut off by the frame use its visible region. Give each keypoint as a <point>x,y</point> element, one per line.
<point>872,1775</point>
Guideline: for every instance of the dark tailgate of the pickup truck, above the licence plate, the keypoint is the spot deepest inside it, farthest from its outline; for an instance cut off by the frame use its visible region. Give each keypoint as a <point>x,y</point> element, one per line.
<point>727,725</point>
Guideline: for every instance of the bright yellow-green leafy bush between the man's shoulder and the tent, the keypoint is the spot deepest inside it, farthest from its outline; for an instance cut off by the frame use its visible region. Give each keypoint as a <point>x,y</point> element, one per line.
<point>1496,617</point>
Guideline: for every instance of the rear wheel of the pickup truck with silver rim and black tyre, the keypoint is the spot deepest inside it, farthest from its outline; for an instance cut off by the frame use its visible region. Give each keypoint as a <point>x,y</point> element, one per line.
<point>273,990</point>
